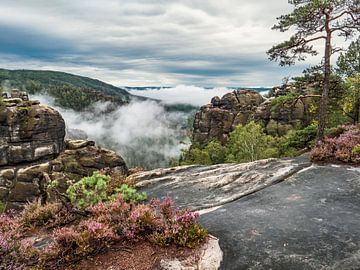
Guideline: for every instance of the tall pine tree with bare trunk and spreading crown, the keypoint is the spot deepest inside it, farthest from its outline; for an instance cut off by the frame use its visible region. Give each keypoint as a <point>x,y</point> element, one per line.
<point>316,20</point>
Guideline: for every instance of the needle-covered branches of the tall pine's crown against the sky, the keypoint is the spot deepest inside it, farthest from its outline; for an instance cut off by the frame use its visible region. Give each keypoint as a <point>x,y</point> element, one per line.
<point>308,18</point>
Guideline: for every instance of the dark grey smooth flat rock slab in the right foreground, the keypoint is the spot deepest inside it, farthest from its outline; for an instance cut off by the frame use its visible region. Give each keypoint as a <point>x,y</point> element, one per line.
<point>309,221</point>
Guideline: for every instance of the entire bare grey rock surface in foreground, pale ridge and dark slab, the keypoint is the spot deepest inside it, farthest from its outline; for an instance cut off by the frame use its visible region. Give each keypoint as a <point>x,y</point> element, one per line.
<point>306,217</point>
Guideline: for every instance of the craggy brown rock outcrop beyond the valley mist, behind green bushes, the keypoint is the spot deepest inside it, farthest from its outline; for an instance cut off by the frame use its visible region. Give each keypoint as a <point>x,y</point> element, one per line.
<point>216,120</point>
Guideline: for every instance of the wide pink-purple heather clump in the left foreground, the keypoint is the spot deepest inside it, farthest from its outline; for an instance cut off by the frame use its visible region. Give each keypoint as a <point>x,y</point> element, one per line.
<point>105,224</point>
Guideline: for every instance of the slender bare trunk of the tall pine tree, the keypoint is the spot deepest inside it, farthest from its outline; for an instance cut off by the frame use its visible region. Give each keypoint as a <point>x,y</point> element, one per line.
<point>326,84</point>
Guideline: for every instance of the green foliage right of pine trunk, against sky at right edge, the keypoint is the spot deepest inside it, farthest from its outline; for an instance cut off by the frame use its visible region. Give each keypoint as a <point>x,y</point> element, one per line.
<point>349,63</point>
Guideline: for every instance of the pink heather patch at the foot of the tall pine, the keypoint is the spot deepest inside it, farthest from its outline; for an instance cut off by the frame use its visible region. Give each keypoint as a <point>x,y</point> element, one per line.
<point>343,148</point>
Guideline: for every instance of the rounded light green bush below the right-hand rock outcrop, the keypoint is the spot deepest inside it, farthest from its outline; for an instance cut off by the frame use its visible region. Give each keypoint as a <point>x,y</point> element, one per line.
<point>249,143</point>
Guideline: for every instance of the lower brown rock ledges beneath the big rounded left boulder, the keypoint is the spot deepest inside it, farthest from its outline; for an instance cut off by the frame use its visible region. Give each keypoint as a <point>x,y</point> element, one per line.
<point>23,183</point>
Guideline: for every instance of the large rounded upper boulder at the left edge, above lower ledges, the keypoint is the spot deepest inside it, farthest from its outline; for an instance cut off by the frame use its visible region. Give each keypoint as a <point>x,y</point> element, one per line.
<point>29,131</point>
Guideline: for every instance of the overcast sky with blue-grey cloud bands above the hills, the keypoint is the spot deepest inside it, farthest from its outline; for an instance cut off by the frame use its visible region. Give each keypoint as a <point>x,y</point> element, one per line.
<point>147,42</point>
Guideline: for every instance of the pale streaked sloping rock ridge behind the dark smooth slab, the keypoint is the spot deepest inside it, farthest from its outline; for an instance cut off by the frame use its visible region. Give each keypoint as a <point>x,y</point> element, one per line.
<point>201,187</point>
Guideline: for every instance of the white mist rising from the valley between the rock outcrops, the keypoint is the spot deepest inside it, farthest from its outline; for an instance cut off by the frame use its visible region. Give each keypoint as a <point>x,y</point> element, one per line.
<point>142,132</point>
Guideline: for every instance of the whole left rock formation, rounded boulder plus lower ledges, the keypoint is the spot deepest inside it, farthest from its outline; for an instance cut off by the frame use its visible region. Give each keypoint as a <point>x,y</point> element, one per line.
<point>33,152</point>
